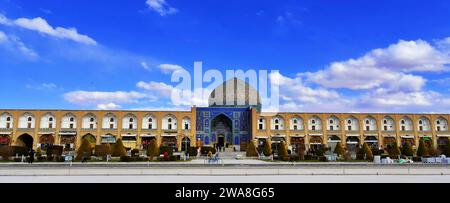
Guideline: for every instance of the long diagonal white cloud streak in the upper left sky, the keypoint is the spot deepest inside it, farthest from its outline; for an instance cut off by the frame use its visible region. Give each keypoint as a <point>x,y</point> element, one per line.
<point>41,25</point>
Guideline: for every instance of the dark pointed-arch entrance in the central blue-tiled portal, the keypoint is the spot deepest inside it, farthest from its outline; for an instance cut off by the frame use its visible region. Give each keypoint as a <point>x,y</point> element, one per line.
<point>222,127</point>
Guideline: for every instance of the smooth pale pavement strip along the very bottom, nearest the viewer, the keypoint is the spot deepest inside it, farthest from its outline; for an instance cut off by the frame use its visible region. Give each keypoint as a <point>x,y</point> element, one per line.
<point>229,179</point>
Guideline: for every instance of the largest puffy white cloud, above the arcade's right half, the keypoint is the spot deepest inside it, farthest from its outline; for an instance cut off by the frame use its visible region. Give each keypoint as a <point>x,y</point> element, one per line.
<point>387,68</point>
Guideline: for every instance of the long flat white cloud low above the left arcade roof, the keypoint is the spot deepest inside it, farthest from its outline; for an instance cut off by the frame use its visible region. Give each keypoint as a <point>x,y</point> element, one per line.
<point>85,98</point>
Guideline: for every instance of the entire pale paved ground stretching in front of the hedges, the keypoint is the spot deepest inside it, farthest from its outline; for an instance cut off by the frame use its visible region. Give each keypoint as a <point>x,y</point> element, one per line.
<point>241,171</point>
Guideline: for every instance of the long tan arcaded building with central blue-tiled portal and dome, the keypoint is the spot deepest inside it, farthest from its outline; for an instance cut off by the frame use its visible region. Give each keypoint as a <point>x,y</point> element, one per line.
<point>227,124</point>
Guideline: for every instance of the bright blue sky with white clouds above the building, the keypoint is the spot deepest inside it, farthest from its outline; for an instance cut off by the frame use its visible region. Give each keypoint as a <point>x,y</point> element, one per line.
<point>332,56</point>
